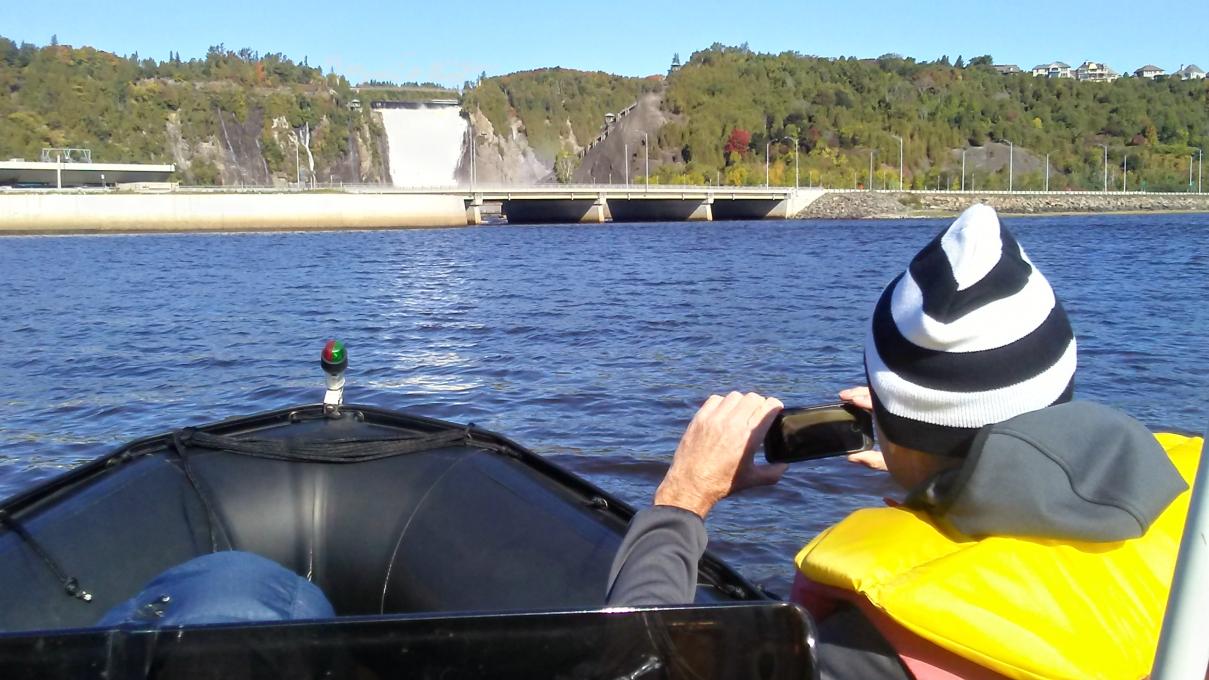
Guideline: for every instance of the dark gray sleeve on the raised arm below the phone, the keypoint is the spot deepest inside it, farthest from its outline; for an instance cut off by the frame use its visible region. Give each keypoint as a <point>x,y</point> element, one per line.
<point>657,562</point>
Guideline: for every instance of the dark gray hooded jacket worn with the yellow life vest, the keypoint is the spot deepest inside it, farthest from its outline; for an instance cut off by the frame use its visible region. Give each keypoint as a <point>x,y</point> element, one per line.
<point>1075,471</point>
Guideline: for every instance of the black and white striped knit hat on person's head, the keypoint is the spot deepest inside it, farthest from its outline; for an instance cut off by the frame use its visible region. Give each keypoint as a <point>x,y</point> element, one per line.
<point>969,336</point>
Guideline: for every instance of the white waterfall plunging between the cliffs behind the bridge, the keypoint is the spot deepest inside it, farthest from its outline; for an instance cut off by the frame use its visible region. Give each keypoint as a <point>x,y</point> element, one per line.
<point>426,145</point>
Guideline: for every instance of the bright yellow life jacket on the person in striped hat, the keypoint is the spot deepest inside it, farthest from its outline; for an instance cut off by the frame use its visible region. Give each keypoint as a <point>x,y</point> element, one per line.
<point>1021,608</point>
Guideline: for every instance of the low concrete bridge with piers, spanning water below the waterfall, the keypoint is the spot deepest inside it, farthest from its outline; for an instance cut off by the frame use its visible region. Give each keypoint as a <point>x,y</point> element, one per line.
<point>599,203</point>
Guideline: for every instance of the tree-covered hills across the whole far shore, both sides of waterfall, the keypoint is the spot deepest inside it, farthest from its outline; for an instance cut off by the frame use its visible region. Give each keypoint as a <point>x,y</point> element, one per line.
<point>245,118</point>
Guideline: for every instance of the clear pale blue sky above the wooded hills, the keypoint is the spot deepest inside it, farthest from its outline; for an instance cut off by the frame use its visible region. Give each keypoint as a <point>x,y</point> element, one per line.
<point>449,42</point>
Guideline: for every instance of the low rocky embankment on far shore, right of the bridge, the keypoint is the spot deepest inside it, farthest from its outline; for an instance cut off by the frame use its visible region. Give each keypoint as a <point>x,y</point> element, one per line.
<point>882,205</point>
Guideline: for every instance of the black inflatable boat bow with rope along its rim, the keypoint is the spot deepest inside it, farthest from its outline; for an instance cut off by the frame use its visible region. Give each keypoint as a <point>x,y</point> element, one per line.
<point>397,518</point>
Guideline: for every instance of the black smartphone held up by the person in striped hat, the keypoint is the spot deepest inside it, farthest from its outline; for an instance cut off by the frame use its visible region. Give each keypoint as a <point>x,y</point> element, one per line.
<point>819,433</point>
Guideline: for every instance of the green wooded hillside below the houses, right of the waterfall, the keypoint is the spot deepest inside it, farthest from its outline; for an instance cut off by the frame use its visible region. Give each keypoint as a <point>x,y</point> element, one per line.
<point>734,102</point>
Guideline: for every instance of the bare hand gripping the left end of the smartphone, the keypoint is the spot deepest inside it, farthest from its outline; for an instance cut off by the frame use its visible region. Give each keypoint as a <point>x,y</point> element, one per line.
<point>716,456</point>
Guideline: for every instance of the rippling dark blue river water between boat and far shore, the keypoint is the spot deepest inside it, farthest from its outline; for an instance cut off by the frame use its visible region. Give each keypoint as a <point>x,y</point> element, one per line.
<point>592,345</point>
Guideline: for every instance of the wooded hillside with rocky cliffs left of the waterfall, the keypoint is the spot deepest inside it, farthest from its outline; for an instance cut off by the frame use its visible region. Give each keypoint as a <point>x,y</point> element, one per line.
<point>233,118</point>
